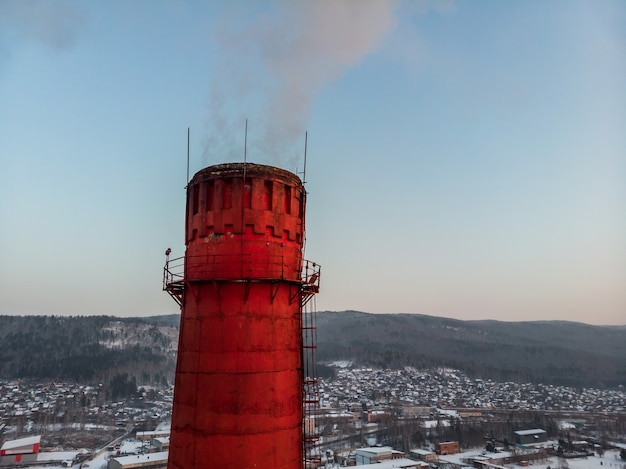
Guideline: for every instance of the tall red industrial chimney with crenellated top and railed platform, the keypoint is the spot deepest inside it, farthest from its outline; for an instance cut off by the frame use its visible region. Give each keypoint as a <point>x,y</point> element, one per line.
<point>238,396</point>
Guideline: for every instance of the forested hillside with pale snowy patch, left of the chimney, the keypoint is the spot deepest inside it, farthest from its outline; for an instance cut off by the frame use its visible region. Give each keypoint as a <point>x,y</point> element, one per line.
<point>87,348</point>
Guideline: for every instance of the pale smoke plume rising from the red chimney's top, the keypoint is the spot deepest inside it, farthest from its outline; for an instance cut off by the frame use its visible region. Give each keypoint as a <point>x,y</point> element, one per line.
<point>274,67</point>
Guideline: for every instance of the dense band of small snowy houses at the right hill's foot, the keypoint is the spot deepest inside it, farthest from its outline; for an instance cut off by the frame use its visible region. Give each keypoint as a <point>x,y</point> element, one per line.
<point>446,387</point>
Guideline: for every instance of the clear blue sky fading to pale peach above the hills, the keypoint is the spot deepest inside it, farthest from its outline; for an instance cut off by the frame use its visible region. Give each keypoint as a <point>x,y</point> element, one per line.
<point>464,159</point>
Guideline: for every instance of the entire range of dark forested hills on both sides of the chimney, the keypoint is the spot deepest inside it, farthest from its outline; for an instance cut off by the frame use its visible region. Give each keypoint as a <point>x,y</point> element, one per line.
<point>97,348</point>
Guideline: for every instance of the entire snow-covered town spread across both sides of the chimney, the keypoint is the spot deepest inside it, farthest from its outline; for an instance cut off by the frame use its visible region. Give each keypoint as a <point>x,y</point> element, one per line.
<point>410,417</point>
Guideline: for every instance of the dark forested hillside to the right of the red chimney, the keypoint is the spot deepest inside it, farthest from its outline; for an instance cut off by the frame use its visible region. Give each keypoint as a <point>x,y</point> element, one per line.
<point>550,352</point>
